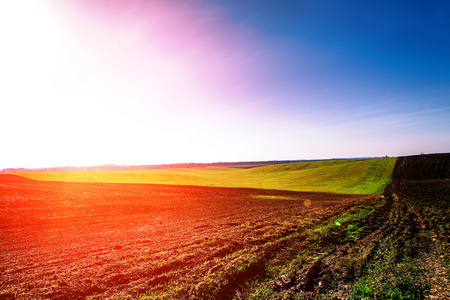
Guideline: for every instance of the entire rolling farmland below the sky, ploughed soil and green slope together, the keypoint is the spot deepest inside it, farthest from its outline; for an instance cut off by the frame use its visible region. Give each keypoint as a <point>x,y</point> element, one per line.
<point>65,239</point>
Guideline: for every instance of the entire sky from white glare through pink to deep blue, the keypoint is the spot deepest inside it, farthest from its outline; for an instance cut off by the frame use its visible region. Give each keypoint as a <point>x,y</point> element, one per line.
<point>130,82</point>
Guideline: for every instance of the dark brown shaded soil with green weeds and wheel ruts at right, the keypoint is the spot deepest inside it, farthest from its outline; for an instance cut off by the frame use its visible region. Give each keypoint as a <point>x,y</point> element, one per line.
<point>403,252</point>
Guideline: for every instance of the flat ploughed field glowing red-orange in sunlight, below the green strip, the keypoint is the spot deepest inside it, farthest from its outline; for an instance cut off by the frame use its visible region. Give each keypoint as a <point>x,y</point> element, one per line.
<point>77,240</point>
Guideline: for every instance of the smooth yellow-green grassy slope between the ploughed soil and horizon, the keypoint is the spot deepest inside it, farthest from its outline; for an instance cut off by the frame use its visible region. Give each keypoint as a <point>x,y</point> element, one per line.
<point>352,176</point>
